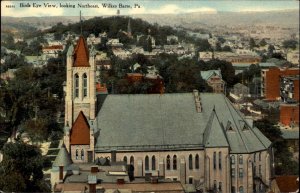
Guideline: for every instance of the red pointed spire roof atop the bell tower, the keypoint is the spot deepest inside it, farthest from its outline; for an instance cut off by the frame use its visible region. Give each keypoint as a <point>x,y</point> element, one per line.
<point>81,54</point>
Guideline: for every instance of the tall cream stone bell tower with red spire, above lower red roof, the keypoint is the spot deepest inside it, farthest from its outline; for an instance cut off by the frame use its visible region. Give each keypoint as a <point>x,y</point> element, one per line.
<point>80,85</point>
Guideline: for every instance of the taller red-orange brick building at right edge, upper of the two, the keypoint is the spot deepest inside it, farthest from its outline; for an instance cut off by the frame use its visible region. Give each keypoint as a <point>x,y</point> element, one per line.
<point>271,82</point>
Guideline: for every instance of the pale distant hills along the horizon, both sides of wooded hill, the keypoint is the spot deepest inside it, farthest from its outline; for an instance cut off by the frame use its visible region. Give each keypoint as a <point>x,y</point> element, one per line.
<point>288,18</point>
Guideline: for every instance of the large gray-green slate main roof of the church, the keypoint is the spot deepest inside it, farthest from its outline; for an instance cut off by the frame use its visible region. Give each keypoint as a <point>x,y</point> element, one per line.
<point>170,121</point>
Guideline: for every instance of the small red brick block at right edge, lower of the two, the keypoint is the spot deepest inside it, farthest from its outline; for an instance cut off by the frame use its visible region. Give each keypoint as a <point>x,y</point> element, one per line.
<point>289,114</point>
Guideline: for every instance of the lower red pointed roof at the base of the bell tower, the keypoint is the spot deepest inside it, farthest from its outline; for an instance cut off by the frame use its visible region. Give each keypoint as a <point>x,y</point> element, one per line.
<point>80,131</point>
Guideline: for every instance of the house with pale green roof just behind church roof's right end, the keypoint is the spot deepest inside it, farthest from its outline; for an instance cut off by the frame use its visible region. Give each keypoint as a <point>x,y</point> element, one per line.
<point>214,79</point>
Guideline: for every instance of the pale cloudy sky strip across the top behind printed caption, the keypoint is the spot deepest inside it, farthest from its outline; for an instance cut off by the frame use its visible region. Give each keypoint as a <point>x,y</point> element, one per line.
<point>13,8</point>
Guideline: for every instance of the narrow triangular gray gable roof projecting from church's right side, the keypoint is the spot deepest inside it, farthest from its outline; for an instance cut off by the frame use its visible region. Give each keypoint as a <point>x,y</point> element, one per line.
<point>214,135</point>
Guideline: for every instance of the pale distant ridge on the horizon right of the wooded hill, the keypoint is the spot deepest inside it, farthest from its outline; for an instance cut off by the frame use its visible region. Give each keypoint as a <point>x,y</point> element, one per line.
<point>289,18</point>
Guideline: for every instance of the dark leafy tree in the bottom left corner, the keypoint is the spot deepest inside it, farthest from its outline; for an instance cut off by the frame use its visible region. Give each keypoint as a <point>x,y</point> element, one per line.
<point>21,168</point>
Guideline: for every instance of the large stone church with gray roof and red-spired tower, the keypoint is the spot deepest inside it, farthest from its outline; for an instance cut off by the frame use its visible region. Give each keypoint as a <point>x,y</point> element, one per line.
<point>192,138</point>
